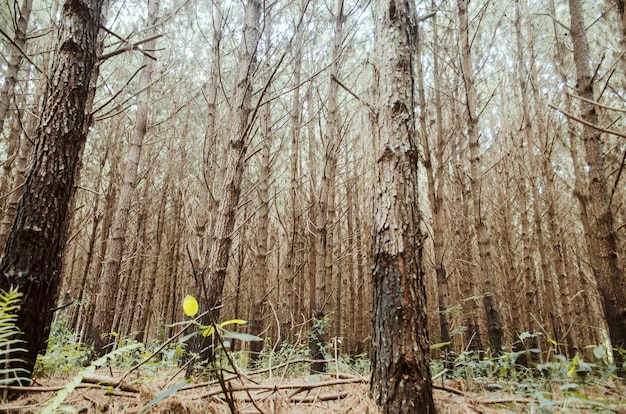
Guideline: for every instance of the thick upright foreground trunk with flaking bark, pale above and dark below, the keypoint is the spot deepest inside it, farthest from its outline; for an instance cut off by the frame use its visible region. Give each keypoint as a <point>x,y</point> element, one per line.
<point>400,373</point>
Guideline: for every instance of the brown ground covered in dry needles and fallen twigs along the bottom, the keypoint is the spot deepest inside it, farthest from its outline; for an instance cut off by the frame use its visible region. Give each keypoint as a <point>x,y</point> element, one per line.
<point>311,394</point>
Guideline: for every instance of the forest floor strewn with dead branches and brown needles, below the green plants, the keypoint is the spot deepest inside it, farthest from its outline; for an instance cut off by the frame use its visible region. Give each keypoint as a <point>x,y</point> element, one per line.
<point>332,393</point>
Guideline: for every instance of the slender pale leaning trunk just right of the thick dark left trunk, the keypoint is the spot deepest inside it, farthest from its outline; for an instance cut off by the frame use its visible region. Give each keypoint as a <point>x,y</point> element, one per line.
<point>109,283</point>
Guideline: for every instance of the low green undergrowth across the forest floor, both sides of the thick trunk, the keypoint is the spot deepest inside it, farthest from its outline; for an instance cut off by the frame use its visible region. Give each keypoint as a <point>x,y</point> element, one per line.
<point>549,381</point>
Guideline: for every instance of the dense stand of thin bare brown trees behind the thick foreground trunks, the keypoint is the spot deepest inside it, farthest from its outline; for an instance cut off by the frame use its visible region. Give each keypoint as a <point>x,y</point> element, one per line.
<point>518,235</point>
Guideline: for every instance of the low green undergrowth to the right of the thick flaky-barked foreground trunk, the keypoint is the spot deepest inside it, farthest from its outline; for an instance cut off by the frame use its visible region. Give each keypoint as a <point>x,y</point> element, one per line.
<point>553,382</point>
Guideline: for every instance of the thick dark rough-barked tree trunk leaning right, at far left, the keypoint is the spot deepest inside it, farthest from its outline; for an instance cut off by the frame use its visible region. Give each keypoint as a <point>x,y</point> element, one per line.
<point>32,257</point>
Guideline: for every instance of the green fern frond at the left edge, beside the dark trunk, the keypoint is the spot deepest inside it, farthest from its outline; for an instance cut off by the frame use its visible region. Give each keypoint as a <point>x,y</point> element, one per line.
<point>10,343</point>
